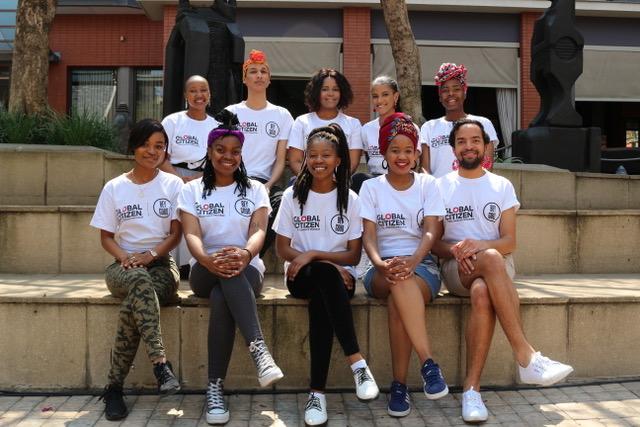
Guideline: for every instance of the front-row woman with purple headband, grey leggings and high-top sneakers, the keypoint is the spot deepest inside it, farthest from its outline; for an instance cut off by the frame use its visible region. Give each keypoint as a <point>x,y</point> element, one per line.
<point>224,214</point>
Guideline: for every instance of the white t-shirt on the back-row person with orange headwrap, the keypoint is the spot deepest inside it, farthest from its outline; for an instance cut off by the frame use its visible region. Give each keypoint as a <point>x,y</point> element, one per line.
<point>262,130</point>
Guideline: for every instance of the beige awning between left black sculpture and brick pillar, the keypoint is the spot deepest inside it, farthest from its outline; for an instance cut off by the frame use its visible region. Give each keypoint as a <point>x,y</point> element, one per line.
<point>297,57</point>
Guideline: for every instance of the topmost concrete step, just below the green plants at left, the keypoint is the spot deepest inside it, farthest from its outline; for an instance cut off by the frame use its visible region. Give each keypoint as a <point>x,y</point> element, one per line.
<point>64,175</point>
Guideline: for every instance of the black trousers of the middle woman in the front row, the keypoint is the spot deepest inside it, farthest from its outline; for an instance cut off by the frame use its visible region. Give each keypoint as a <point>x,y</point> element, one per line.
<point>329,312</point>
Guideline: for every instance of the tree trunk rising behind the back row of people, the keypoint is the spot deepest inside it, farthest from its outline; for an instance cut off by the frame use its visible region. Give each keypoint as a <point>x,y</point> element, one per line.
<point>406,57</point>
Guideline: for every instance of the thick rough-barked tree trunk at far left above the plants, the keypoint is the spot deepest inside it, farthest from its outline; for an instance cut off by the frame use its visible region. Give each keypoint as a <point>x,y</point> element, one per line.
<point>30,63</point>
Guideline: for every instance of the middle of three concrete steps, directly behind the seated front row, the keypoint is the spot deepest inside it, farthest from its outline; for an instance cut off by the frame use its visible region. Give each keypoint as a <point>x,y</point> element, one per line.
<point>58,239</point>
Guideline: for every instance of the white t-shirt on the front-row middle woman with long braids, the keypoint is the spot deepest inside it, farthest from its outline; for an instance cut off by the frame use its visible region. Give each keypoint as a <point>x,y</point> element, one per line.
<point>320,227</point>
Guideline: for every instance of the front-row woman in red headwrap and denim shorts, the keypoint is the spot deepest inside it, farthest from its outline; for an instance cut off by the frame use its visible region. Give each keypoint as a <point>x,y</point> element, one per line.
<point>401,211</point>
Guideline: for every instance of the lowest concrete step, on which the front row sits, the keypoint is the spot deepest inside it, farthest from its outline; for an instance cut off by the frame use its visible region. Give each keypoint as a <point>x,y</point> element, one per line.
<point>58,329</point>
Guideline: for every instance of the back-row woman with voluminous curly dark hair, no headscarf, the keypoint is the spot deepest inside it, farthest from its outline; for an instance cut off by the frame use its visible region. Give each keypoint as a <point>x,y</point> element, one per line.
<point>326,95</point>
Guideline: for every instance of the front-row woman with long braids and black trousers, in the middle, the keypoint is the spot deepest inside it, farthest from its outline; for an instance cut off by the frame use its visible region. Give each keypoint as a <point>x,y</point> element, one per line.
<point>318,235</point>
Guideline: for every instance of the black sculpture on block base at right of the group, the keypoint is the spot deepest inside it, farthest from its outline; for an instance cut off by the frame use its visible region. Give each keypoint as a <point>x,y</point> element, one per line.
<point>555,136</point>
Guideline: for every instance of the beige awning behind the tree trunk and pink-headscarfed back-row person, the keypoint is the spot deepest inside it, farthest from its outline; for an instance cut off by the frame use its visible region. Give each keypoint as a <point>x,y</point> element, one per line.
<point>488,66</point>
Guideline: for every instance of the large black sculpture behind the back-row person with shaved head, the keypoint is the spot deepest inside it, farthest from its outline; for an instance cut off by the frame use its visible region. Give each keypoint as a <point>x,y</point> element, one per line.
<point>205,41</point>
